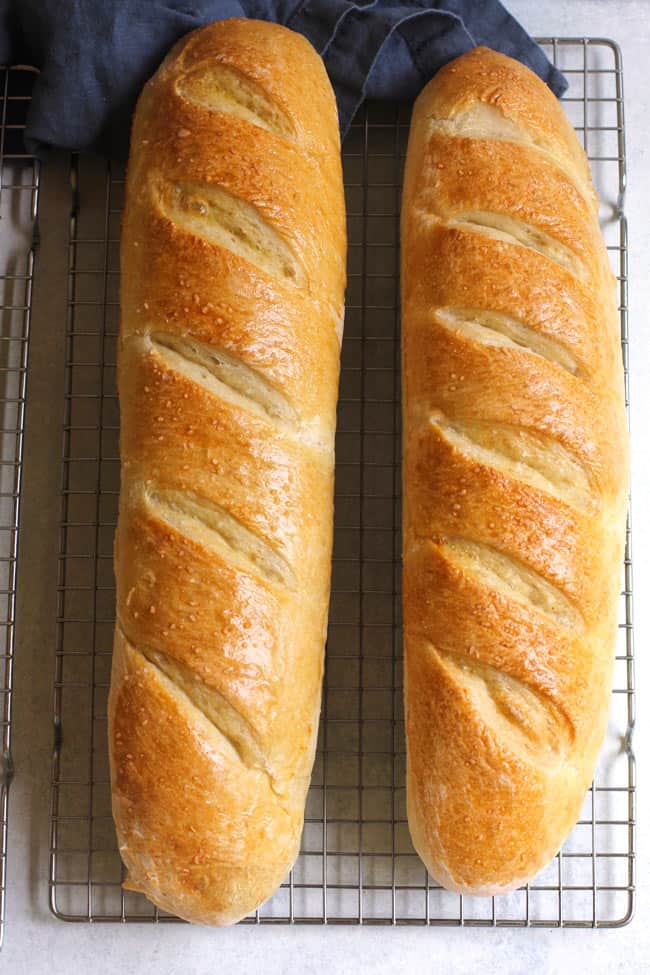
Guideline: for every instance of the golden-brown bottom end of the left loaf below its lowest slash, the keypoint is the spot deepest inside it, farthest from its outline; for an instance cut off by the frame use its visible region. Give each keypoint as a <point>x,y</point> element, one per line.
<point>176,785</point>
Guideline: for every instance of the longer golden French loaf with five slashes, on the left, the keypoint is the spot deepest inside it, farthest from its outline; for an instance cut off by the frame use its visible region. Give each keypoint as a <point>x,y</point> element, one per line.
<point>232,299</point>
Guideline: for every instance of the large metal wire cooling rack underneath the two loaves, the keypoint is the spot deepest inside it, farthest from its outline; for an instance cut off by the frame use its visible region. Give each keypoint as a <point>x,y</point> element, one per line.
<point>357,864</point>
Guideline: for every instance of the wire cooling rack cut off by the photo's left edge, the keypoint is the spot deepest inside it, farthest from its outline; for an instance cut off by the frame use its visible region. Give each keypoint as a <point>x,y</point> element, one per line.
<point>19,186</point>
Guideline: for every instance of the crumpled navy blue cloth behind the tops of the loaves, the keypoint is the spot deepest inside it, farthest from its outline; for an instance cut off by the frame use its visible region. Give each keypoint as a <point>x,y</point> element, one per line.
<point>95,55</point>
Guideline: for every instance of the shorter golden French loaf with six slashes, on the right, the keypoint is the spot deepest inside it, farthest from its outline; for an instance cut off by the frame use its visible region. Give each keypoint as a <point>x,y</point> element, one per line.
<point>515,474</point>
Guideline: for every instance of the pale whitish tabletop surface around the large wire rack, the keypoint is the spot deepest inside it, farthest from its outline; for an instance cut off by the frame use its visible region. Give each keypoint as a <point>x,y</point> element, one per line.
<point>36,943</point>
